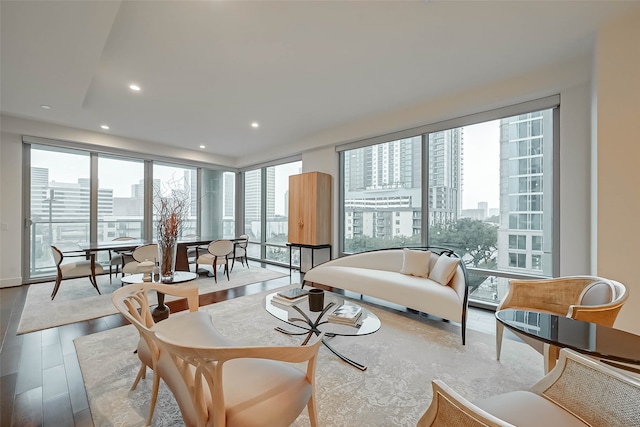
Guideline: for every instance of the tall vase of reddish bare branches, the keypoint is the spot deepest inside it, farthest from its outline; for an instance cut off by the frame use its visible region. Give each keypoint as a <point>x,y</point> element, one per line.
<point>171,208</point>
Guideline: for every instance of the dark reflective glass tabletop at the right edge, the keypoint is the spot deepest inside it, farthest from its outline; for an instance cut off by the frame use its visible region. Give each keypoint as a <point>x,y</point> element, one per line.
<point>585,337</point>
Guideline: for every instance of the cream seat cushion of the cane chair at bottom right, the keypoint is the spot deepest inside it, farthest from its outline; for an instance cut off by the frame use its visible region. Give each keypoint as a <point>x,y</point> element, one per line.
<point>527,409</point>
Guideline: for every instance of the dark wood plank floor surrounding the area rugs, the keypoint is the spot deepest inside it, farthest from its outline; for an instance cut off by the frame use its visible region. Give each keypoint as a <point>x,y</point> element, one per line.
<point>40,379</point>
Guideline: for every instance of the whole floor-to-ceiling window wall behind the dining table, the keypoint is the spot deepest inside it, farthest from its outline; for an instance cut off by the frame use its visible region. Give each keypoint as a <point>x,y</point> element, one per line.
<point>80,195</point>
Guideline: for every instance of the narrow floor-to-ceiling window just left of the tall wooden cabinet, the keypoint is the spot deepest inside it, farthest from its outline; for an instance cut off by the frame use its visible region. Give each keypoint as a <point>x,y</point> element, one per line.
<point>266,204</point>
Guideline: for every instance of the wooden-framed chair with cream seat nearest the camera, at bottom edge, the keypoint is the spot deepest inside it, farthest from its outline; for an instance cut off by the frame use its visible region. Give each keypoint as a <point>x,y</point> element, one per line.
<point>239,386</point>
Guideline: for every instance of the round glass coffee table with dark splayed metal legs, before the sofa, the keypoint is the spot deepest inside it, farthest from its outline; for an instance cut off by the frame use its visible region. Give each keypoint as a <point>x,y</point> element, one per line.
<point>308,322</point>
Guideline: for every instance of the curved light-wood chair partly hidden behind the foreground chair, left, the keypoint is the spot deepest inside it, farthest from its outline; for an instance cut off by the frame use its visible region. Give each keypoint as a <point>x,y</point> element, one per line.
<point>133,302</point>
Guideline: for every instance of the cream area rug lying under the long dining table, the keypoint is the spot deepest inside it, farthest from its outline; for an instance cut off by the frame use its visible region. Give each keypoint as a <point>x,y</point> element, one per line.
<point>77,300</point>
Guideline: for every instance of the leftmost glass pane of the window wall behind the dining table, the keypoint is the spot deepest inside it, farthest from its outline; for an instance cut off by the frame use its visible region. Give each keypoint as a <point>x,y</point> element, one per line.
<point>59,205</point>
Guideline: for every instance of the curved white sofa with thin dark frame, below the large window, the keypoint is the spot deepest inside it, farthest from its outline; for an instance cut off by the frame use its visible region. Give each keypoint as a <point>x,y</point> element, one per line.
<point>378,274</point>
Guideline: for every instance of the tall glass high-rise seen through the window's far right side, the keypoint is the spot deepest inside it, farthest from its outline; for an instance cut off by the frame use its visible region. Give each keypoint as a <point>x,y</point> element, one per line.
<point>525,219</point>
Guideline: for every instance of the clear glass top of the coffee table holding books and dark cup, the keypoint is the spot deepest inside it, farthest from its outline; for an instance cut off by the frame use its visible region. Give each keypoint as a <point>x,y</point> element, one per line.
<point>367,324</point>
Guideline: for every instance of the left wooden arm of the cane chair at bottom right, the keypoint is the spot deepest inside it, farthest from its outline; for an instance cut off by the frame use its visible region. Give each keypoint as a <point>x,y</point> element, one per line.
<point>448,408</point>
